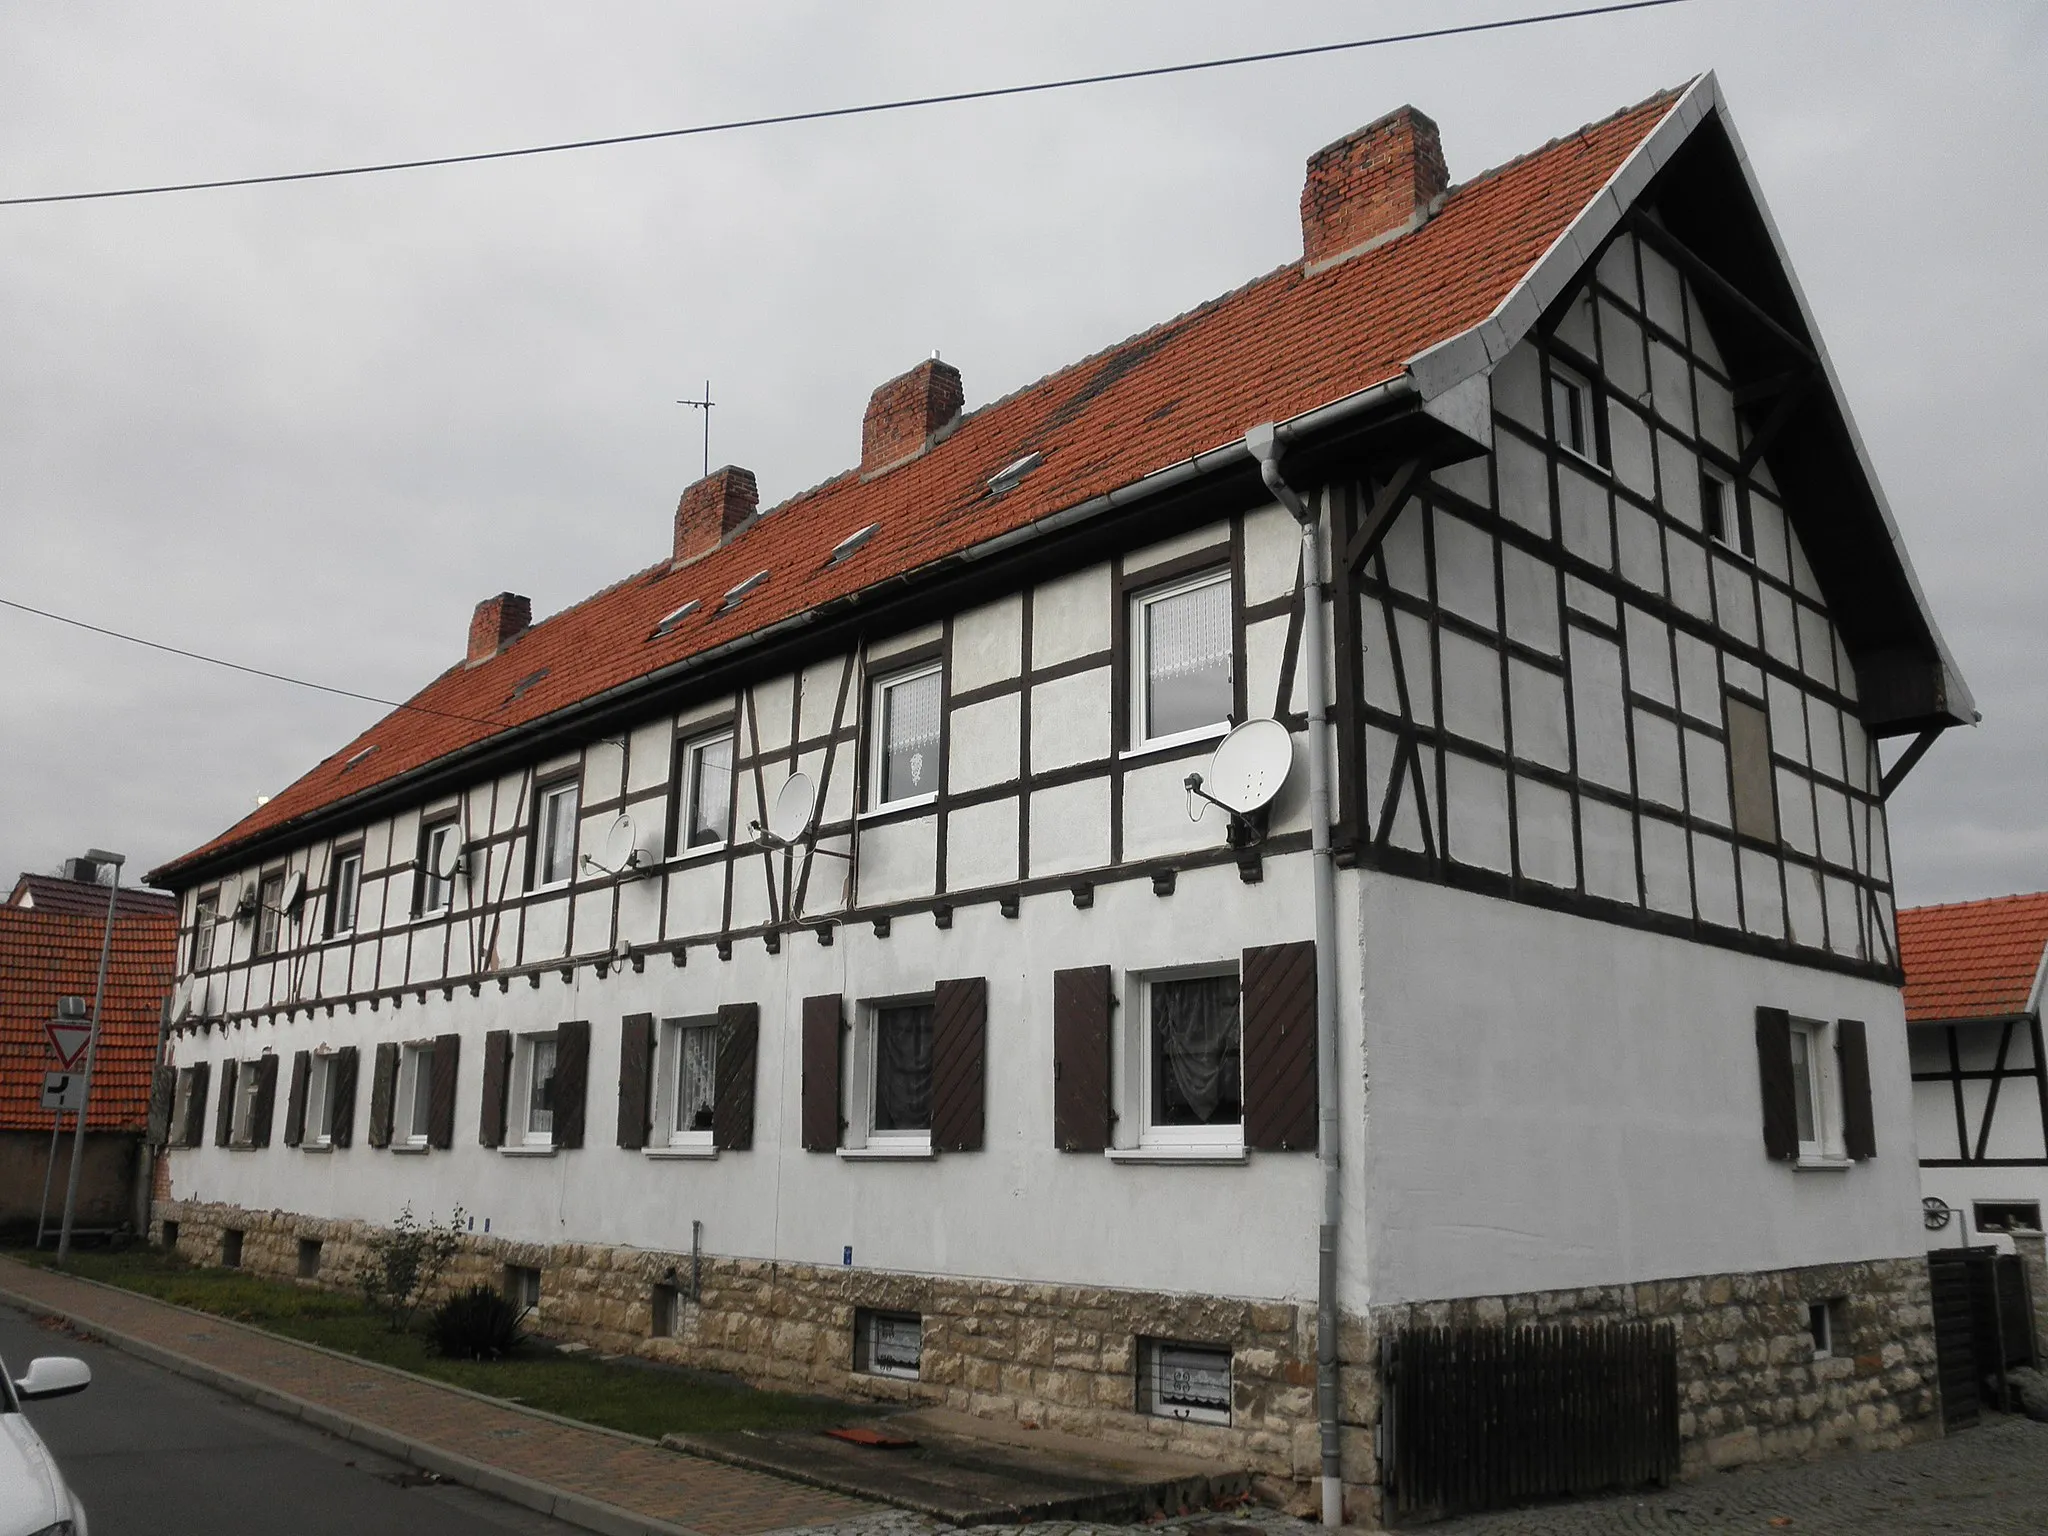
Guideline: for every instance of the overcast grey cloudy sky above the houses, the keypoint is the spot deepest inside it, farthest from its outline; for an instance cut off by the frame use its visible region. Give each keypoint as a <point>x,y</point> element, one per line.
<point>308,427</point>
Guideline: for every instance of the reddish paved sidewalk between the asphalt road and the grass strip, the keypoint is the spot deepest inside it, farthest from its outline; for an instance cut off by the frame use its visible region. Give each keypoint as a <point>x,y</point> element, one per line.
<point>591,1478</point>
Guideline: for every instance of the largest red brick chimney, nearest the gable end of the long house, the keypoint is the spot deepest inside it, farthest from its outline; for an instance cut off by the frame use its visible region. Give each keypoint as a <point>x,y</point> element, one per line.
<point>1373,185</point>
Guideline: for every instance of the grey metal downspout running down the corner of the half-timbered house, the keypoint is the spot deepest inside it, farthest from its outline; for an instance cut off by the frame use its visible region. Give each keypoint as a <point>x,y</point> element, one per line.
<point>1265,445</point>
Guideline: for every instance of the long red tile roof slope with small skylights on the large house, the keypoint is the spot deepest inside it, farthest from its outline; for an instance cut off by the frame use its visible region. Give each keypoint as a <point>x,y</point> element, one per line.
<point>1275,349</point>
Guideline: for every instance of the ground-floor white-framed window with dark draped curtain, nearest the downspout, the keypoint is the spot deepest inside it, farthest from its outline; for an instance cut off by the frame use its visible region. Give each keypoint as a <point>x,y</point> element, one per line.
<point>1185,1060</point>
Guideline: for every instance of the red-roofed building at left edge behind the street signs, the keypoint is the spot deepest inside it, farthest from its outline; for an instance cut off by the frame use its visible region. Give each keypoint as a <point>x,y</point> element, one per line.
<point>50,949</point>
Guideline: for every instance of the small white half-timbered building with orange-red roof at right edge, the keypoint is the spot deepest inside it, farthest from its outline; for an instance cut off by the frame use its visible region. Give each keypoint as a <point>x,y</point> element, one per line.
<point>1975,974</point>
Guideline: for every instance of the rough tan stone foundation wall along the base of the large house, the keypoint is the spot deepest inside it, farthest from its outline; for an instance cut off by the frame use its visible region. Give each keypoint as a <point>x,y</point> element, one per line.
<point>1066,1357</point>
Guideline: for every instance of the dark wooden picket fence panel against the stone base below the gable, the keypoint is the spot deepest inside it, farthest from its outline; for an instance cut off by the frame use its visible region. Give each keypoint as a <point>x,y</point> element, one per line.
<point>1482,1418</point>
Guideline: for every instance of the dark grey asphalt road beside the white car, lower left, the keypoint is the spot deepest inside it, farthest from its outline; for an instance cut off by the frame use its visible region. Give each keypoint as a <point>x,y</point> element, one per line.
<point>159,1455</point>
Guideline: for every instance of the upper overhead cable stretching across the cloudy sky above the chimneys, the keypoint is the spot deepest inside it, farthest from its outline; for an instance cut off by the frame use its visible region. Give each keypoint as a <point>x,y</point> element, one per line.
<point>826,114</point>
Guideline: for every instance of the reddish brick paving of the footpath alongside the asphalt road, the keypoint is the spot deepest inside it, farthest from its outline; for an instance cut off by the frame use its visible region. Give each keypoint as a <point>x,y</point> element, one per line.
<point>632,1476</point>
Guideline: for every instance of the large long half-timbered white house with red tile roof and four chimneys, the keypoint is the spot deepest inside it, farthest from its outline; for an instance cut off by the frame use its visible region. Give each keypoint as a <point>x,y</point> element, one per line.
<point>998,1084</point>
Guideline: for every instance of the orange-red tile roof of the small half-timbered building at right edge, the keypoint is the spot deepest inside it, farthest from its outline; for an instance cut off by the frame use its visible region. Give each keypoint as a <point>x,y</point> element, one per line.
<point>1973,959</point>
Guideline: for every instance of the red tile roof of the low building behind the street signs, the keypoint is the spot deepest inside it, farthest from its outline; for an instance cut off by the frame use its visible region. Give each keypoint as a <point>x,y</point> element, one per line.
<point>48,955</point>
